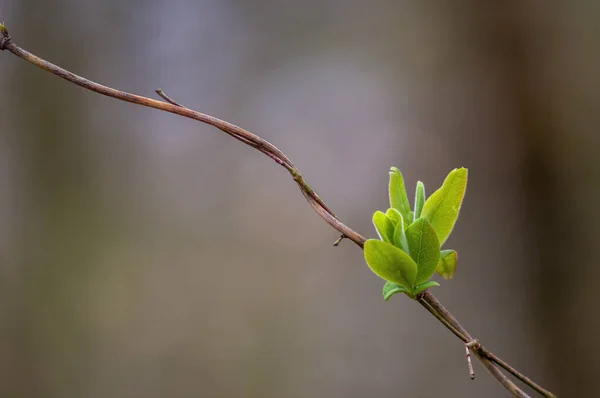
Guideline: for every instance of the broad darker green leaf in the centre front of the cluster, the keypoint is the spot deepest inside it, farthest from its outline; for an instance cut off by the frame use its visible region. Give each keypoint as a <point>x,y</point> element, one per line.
<point>424,248</point>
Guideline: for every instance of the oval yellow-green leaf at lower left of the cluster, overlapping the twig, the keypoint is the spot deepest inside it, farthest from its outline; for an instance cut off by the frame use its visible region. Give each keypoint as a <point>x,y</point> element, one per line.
<point>390,263</point>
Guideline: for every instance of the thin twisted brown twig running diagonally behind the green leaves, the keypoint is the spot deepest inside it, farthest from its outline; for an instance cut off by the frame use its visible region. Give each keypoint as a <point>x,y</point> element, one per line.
<point>426,299</point>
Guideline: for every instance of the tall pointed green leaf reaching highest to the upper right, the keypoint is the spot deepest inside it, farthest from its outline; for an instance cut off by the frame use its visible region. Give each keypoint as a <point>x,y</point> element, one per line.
<point>442,208</point>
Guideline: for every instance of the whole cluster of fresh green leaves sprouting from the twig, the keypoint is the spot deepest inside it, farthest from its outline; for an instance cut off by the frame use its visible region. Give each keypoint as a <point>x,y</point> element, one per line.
<point>409,251</point>
